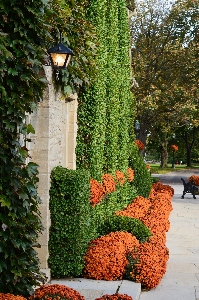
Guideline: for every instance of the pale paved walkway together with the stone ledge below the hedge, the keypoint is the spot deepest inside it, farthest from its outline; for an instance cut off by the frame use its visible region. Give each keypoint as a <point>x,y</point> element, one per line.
<point>181,281</point>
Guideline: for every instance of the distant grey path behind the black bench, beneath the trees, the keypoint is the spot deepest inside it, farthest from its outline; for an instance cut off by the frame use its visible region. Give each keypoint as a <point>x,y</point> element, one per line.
<point>175,177</point>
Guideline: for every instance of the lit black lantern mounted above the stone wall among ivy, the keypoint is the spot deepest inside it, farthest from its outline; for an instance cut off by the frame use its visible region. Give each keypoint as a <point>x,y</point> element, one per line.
<point>60,56</point>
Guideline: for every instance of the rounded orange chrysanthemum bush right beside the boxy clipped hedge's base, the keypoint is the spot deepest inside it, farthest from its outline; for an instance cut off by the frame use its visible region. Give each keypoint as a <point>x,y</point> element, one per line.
<point>106,256</point>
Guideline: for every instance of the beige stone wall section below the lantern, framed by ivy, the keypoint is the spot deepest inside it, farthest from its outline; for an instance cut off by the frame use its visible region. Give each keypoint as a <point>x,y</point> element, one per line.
<point>53,144</point>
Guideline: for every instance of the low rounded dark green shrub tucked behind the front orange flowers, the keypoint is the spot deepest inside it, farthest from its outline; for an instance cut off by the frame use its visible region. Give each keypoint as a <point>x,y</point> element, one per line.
<point>123,223</point>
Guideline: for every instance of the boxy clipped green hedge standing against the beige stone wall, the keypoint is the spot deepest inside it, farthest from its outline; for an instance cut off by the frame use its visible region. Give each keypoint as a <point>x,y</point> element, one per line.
<point>71,221</point>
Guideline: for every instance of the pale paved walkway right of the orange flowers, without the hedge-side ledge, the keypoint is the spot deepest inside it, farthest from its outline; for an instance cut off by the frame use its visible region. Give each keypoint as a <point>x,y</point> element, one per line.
<point>181,281</point>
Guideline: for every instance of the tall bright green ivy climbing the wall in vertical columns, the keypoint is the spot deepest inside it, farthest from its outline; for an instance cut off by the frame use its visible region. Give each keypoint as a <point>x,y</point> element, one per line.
<point>104,110</point>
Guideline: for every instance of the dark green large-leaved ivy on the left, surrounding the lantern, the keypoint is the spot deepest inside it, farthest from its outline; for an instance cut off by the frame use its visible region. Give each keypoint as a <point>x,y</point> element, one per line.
<point>27,29</point>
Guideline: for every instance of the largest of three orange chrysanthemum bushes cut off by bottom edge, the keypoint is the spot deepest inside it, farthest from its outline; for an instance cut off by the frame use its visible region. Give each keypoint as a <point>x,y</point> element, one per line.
<point>55,292</point>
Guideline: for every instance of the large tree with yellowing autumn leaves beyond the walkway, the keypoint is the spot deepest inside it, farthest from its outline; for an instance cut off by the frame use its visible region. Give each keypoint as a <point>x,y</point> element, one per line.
<point>165,70</point>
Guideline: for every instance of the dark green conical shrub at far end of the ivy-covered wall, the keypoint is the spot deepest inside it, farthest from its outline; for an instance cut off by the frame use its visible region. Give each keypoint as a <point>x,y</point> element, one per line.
<point>142,180</point>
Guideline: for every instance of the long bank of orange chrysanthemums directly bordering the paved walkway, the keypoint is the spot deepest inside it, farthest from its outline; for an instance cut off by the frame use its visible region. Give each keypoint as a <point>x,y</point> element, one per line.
<point>147,263</point>
